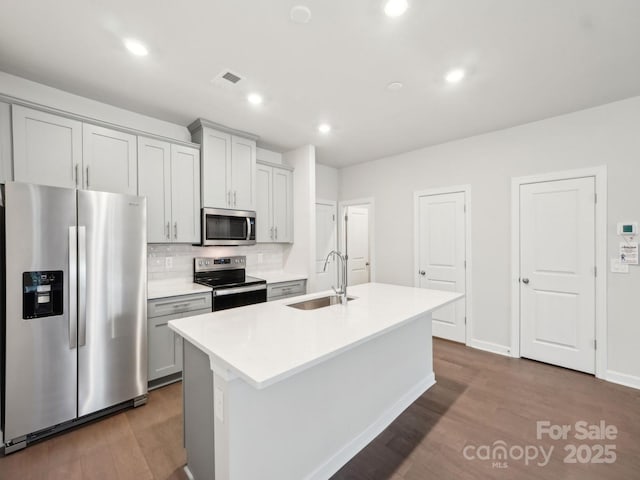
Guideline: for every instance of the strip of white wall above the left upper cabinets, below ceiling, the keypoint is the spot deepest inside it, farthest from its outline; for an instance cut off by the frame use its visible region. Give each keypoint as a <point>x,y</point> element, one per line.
<point>23,89</point>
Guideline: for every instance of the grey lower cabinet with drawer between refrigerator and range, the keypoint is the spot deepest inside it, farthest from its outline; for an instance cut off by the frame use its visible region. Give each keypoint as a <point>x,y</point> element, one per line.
<point>164,346</point>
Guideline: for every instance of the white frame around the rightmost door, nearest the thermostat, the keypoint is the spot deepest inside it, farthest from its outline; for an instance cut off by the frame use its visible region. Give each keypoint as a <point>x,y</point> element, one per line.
<point>600,176</point>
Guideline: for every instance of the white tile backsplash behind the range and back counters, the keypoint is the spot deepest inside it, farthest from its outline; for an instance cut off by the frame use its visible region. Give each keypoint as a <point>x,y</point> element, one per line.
<point>175,261</point>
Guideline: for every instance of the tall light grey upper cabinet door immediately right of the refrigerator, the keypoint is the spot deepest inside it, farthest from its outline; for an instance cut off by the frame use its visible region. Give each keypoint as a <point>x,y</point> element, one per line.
<point>154,182</point>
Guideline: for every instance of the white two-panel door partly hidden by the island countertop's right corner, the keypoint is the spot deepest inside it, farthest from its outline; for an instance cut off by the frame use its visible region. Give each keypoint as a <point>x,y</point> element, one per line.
<point>442,258</point>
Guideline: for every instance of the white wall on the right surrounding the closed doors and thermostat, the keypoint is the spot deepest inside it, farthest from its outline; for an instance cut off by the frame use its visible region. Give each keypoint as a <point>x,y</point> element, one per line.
<point>607,135</point>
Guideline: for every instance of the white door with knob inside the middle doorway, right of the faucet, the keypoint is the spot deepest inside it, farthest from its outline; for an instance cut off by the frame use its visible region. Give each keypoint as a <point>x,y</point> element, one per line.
<point>357,245</point>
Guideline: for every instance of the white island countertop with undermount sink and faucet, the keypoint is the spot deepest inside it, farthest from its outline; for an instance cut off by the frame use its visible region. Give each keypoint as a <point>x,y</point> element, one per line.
<point>268,342</point>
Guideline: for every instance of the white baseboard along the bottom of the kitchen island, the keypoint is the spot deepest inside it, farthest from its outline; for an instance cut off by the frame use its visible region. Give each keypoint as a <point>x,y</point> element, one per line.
<point>346,453</point>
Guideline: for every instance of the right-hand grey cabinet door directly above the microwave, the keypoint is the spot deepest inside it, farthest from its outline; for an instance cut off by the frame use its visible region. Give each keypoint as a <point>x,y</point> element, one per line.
<point>243,173</point>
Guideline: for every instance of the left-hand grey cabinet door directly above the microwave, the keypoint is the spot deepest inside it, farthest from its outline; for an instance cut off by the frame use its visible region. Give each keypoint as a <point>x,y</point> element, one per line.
<point>216,160</point>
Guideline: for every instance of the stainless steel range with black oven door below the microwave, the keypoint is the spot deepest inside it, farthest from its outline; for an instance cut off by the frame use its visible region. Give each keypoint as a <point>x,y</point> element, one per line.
<point>231,286</point>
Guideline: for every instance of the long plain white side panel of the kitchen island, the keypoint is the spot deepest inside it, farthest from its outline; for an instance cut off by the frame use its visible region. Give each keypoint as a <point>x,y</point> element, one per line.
<point>309,425</point>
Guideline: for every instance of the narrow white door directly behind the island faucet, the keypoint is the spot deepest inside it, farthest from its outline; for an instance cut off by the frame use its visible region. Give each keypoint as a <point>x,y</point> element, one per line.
<point>326,240</point>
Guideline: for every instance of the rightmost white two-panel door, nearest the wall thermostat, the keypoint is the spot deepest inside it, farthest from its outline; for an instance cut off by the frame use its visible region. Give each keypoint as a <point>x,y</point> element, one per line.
<point>557,272</point>
